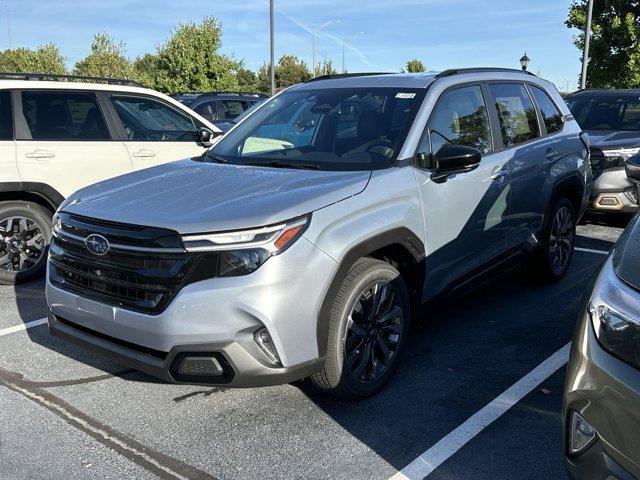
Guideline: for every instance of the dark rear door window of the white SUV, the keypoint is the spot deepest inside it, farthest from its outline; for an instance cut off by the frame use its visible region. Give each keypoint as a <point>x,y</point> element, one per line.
<point>61,115</point>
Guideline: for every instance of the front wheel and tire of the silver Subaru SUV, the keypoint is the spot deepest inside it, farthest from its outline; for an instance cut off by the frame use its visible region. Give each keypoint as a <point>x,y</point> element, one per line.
<point>362,374</point>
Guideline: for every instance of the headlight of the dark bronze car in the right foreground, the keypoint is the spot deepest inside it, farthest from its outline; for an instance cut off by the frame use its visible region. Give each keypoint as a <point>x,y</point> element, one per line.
<point>617,333</point>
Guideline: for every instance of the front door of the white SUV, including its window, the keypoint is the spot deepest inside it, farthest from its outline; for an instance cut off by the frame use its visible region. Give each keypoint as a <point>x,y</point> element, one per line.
<point>155,132</point>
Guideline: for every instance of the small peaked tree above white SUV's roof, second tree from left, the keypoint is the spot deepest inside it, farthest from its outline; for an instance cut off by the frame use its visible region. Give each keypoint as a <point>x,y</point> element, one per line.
<point>106,59</point>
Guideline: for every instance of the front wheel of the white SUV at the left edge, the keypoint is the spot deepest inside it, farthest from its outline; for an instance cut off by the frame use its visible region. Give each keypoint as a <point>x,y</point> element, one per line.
<point>25,233</point>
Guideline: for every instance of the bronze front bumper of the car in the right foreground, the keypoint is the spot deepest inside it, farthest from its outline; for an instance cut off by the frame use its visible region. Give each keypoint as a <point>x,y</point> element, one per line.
<point>606,393</point>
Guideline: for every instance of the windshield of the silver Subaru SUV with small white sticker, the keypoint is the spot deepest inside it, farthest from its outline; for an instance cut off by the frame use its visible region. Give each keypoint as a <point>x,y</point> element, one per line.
<point>328,129</point>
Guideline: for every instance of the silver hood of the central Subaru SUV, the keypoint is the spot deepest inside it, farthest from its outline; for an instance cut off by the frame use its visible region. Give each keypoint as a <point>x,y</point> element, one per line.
<point>193,197</point>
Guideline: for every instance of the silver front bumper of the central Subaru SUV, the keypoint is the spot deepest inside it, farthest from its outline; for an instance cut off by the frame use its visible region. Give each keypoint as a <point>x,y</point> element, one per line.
<point>217,316</point>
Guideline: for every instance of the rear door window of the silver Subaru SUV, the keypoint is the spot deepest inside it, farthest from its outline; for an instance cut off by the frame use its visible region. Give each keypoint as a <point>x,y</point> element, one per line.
<point>518,118</point>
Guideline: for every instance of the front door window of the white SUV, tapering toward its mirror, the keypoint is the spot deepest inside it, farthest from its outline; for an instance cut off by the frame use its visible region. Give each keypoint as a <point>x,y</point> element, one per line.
<point>146,119</point>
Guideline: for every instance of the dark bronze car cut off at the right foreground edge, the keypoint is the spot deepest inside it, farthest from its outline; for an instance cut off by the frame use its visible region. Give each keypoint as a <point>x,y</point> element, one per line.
<point>601,407</point>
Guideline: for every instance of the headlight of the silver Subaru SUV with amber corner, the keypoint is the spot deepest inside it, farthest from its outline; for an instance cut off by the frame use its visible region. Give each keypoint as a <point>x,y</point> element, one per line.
<point>244,251</point>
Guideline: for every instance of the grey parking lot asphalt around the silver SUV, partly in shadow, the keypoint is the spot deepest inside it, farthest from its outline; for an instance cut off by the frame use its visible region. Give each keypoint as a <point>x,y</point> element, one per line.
<point>65,413</point>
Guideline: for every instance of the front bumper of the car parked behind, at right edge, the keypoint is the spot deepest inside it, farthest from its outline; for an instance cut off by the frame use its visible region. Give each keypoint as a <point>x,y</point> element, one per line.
<point>612,191</point>
